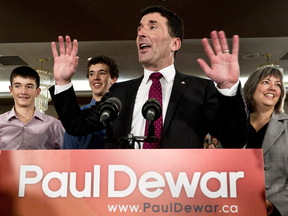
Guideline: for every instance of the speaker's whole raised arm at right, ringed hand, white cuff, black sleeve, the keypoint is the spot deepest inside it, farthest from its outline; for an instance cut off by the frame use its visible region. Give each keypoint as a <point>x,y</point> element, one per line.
<point>233,120</point>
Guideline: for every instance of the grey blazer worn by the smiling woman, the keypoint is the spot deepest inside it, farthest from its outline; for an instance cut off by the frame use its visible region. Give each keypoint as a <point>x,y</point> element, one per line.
<point>275,150</point>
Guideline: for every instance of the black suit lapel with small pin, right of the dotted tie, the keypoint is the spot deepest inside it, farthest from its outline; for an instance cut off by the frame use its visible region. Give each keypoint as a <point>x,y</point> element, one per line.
<point>178,89</point>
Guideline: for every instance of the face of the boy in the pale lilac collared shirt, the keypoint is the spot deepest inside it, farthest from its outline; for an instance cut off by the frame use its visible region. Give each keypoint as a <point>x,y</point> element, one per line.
<point>24,92</point>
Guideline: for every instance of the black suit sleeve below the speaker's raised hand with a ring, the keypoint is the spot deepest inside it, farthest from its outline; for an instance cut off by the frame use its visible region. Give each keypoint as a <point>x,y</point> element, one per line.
<point>226,117</point>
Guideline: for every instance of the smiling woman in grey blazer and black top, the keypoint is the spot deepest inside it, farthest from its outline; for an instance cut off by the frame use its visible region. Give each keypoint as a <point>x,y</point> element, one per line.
<point>264,94</point>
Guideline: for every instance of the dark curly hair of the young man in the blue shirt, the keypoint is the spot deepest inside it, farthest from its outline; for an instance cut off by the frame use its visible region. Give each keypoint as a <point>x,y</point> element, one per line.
<point>113,67</point>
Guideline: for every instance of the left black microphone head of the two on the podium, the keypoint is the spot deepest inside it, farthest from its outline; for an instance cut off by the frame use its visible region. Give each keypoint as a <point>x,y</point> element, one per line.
<point>110,109</point>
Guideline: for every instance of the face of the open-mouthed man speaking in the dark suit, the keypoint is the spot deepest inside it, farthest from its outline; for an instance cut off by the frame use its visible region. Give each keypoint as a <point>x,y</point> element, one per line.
<point>154,43</point>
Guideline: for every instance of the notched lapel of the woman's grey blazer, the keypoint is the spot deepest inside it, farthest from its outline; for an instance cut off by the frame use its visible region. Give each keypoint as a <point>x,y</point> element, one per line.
<point>274,130</point>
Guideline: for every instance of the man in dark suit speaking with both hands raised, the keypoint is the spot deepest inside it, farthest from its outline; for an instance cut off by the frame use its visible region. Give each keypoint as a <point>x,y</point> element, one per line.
<point>192,106</point>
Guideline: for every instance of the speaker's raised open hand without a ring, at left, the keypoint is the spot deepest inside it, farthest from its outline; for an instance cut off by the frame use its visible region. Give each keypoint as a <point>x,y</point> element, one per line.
<point>66,63</point>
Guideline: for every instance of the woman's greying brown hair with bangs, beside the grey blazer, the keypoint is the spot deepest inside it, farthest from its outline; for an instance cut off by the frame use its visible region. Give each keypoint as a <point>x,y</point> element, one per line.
<point>254,79</point>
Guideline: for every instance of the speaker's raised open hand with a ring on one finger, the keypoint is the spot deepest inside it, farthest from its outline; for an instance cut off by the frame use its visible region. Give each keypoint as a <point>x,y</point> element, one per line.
<point>224,66</point>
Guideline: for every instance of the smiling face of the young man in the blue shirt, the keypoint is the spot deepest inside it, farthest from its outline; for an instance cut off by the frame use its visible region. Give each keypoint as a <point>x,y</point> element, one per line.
<point>100,80</point>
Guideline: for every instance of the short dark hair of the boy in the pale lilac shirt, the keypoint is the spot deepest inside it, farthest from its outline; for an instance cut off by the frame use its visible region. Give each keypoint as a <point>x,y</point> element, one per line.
<point>25,72</point>
